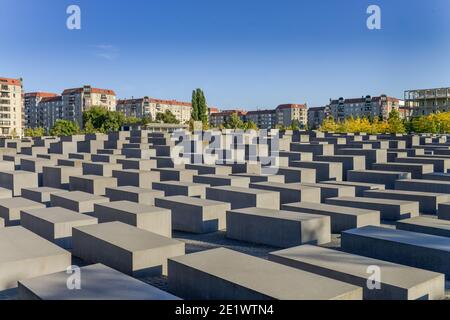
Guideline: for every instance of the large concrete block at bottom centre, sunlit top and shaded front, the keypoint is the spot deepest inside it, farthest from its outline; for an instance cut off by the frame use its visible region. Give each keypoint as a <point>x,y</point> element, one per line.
<point>223,274</point>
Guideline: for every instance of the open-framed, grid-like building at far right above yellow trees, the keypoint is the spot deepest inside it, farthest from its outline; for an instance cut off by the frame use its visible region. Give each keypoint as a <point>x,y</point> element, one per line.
<point>426,101</point>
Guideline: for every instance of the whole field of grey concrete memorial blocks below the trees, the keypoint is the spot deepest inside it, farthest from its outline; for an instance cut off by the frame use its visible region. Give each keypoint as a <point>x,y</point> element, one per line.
<point>225,215</point>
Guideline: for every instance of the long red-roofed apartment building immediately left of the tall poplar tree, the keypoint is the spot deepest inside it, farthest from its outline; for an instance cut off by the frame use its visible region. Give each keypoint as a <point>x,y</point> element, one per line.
<point>150,107</point>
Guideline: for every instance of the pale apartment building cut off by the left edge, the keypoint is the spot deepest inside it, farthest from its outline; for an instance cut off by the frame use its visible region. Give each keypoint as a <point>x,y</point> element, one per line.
<point>11,105</point>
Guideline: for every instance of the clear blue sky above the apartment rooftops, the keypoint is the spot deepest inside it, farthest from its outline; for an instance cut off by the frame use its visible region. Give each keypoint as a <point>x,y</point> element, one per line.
<point>247,53</point>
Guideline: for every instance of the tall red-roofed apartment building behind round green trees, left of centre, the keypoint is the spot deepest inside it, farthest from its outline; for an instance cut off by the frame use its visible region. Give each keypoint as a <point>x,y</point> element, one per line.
<point>77,100</point>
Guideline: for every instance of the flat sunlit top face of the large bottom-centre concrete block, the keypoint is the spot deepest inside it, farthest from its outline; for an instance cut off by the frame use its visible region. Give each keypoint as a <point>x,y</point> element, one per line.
<point>265,277</point>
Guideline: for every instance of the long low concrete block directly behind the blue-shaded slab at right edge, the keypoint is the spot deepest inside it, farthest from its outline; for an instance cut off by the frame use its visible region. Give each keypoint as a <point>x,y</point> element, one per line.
<point>389,209</point>
